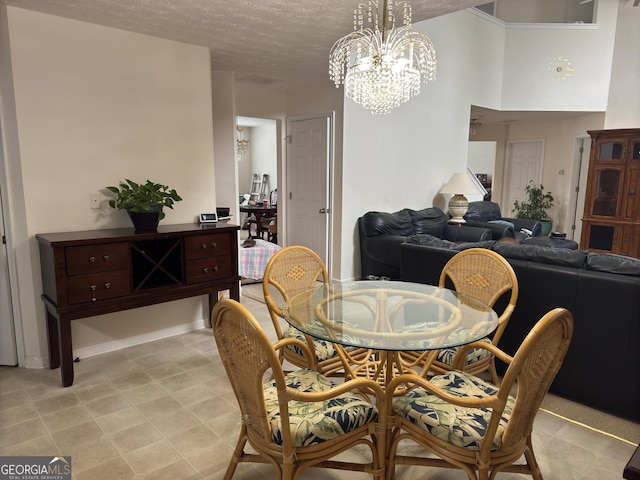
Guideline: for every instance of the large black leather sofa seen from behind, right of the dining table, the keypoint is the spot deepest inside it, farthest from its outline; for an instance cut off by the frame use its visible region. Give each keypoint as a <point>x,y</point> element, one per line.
<point>602,291</point>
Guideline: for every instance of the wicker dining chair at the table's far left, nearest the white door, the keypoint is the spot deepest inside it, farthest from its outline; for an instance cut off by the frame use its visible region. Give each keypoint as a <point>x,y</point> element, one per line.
<point>290,271</point>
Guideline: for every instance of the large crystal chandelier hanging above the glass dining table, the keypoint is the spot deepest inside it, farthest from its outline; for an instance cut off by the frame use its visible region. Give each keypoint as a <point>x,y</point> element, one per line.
<point>383,64</point>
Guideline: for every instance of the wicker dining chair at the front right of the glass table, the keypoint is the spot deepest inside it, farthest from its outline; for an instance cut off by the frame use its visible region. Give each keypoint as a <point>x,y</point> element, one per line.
<point>471,424</point>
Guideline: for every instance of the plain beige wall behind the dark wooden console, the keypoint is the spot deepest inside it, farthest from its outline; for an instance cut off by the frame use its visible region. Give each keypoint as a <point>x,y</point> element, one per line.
<point>94,105</point>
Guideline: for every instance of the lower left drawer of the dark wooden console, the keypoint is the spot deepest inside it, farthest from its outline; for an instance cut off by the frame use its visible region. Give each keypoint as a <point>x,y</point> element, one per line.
<point>98,286</point>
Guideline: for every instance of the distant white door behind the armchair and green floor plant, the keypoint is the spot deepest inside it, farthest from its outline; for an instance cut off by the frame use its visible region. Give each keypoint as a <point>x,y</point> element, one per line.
<point>524,162</point>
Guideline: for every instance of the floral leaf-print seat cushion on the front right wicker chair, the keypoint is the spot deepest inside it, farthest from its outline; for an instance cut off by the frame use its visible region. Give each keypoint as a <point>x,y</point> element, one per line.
<point>463,427</point>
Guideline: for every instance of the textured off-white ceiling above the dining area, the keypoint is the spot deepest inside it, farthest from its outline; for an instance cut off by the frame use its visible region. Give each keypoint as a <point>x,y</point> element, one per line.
<point>277,42</point>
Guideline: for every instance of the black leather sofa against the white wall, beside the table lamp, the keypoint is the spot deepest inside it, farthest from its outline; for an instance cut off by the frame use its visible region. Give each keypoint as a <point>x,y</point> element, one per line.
<point>382,233</point>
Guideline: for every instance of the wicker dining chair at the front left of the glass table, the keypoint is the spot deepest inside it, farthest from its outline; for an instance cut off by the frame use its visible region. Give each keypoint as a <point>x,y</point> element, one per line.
<point>322,420</point>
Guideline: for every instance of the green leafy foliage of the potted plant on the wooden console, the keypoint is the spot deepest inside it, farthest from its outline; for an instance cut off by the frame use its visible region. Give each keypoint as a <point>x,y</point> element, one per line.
<point>135,197</point>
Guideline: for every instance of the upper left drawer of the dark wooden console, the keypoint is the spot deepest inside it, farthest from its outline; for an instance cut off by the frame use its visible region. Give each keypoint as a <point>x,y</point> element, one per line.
<point>97,258</point>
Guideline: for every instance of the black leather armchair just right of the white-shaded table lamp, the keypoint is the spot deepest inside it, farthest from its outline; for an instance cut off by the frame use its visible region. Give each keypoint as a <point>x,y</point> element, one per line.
<point>485,214</point>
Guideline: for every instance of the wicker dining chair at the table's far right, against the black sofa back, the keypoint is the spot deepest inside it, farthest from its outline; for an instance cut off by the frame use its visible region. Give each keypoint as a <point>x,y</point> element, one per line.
<point>486,276</point>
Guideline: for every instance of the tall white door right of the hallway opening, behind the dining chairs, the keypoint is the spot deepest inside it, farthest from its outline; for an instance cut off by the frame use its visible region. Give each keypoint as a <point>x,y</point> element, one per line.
<point>308,192</point>
